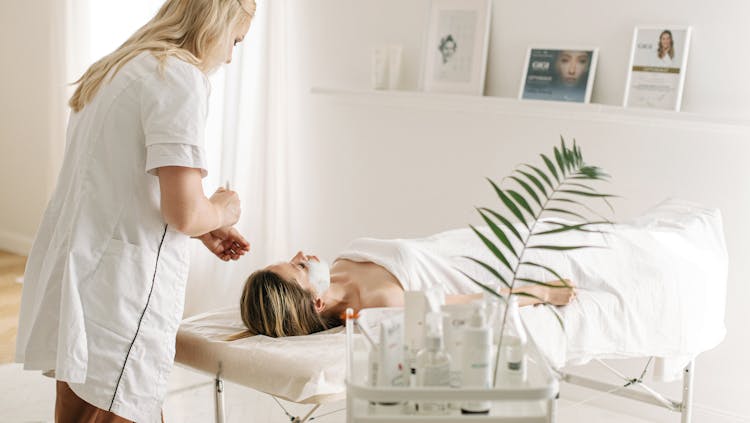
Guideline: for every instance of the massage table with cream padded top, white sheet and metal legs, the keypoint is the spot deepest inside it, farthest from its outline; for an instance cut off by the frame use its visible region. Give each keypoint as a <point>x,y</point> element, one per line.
<point>667,305</point>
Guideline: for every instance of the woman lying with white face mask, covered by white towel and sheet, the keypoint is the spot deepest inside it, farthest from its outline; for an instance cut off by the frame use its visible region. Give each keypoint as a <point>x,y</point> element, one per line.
<point>657,288</point>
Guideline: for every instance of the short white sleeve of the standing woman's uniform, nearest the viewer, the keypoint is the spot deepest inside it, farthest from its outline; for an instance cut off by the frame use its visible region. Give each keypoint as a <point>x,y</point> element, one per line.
<point>173,114</point>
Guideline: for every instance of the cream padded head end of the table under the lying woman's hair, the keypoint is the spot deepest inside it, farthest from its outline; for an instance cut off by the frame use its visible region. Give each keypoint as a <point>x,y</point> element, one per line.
<point>303,369</point>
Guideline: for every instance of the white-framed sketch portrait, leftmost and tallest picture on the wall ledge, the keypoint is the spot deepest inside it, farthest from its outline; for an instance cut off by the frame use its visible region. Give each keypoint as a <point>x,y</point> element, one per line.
<point>455,59</point>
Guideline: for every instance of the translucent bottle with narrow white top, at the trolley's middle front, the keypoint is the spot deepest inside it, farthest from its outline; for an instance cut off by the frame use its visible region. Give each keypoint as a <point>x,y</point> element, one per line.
<point>433,364</point>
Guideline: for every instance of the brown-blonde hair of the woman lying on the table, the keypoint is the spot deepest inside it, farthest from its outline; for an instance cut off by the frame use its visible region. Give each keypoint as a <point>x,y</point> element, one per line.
<point>275,307</point>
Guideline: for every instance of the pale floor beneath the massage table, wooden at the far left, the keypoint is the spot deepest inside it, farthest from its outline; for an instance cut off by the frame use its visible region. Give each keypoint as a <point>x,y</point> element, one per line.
<point>29,396</point>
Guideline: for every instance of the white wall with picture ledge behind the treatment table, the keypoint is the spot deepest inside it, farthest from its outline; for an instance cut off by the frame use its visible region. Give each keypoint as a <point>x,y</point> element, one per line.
<point>402,165</point>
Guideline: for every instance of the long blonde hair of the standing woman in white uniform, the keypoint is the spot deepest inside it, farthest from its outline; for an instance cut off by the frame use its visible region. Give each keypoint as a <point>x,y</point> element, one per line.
<point>189,30</point>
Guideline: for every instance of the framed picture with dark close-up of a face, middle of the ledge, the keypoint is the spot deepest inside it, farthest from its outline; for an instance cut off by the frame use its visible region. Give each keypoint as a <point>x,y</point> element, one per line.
<point>559,74</point>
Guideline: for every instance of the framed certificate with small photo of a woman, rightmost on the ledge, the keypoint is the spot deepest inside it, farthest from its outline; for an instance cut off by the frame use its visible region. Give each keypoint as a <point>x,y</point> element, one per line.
<point>656,73</point>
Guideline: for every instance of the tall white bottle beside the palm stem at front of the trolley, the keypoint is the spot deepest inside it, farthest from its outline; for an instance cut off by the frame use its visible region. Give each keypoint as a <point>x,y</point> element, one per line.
<point>476,371</point>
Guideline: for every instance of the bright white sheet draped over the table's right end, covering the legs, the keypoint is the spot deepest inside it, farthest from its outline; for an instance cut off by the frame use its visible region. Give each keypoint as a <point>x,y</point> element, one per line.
<point>659,289</point>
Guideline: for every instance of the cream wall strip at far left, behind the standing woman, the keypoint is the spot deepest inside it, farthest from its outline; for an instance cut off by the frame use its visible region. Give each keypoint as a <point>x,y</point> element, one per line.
<point>25,119</point>
